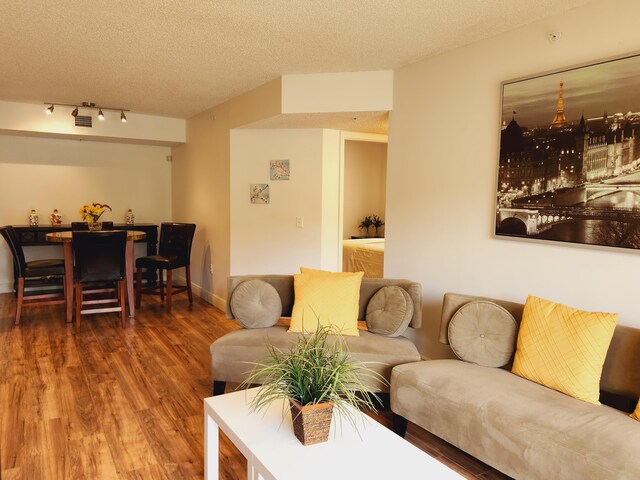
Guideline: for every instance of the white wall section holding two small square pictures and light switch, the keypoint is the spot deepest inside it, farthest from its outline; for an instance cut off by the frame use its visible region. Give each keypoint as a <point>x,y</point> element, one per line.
<point>264,237</point>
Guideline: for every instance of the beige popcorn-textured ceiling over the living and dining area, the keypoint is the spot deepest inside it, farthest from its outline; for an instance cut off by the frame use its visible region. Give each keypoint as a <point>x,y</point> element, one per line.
<point>178,58</point>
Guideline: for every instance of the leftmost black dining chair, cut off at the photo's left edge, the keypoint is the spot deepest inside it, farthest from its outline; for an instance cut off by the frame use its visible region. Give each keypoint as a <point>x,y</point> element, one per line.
<point>39,282</point>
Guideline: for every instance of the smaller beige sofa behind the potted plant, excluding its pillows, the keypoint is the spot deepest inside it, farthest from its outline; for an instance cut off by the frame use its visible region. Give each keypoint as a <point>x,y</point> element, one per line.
<point>232,353</point>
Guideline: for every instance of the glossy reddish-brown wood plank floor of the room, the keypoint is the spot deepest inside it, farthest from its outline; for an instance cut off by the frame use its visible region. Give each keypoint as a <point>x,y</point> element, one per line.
<point>112,403</point>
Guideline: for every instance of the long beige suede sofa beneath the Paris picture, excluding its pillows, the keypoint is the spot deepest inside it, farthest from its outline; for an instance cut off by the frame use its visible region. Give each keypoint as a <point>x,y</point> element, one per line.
<point>523,429</point>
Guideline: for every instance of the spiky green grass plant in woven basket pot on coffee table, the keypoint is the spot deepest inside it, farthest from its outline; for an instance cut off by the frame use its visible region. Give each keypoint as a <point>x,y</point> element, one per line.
<point>315,376</point>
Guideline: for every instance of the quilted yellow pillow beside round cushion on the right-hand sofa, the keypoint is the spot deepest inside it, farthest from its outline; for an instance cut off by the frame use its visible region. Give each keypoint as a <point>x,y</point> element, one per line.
<point>563,348</point>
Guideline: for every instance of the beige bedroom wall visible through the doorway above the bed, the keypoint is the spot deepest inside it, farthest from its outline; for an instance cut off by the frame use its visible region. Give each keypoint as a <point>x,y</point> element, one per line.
<point>365,178</point>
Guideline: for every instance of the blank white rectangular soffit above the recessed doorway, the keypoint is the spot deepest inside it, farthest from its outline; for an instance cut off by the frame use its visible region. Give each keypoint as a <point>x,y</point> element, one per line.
<point>338,92</point>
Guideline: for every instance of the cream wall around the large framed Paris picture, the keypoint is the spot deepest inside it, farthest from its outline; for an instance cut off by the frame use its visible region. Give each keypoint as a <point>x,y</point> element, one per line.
<point>443,155</point>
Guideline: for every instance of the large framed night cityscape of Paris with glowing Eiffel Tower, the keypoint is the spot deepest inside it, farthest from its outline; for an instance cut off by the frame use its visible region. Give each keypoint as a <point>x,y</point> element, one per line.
<point>569,167</point>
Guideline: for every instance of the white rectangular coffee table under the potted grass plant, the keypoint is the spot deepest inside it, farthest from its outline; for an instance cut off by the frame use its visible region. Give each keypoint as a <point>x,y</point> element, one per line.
<point>273,452</point>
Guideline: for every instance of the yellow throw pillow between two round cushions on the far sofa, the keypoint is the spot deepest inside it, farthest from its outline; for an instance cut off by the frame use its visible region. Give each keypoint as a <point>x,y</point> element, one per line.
<point>326,298</point>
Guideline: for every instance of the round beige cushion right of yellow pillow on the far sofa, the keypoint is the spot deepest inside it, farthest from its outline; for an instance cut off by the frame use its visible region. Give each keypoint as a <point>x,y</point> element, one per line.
<point>389,311</point>
